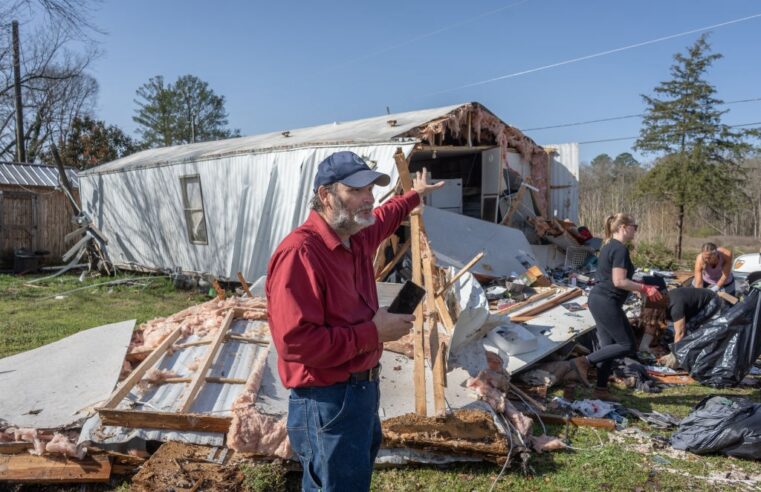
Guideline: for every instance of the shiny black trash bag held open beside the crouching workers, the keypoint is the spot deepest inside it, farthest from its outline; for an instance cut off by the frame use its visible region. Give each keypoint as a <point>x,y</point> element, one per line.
<point>722,351</point>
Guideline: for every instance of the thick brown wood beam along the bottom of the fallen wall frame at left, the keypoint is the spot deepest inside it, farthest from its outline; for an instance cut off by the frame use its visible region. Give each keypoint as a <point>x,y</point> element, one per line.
<point>164,420</point>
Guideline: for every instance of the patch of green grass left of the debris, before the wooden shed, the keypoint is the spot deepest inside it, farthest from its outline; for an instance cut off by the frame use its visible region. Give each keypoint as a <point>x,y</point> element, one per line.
<point>33,316</point>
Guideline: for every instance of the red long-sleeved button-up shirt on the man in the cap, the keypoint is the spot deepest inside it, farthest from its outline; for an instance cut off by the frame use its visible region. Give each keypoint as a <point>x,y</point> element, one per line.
<point>321,298</point>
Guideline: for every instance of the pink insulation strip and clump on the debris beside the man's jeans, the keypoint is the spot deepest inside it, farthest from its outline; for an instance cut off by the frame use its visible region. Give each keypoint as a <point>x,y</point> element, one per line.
<point>251,431</point>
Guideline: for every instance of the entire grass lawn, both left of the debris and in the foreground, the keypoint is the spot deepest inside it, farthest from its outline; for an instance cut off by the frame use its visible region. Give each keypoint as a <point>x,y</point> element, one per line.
<point>34,316</point>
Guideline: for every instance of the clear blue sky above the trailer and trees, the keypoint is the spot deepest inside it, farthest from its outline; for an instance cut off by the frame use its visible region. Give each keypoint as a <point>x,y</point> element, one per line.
<point>285,65</point>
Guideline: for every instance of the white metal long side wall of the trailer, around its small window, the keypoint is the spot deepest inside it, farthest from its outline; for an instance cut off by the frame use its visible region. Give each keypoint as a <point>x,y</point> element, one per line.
<point>251,202</point>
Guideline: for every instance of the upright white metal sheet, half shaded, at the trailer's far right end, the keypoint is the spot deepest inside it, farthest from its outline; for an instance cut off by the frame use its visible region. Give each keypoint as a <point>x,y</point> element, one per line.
<point>564,181</point>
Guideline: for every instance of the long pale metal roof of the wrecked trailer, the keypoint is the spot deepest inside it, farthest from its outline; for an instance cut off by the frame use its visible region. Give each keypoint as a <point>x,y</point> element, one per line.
<point>378,129</point>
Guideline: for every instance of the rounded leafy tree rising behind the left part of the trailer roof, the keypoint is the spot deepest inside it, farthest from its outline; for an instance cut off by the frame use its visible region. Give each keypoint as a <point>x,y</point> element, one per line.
<point>184,112</point>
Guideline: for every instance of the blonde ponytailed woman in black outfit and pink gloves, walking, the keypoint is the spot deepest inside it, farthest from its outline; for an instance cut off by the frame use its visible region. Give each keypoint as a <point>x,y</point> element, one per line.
<point>614,282</point>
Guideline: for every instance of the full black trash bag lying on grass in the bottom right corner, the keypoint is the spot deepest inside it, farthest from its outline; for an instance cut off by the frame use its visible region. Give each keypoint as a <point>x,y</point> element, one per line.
<point>718,424</point>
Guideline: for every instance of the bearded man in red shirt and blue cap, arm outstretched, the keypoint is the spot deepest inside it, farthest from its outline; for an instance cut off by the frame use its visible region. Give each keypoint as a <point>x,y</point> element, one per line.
<point>327,326</point>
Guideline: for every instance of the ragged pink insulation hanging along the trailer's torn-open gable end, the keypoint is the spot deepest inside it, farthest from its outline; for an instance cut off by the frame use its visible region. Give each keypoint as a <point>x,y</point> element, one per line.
<point>487,129</point>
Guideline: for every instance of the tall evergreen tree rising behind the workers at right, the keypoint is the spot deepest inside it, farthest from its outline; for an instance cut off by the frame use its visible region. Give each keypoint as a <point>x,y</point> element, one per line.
<point>698,154</point>
